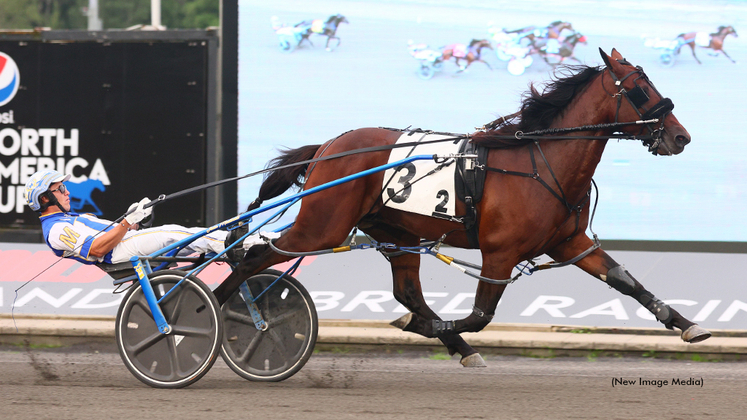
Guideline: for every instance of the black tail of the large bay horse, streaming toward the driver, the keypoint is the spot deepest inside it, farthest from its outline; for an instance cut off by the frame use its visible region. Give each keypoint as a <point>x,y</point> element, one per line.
<point>280,180</point>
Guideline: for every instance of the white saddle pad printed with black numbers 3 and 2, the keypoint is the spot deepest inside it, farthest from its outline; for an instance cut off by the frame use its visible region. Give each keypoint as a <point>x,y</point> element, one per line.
<point>411,188</point>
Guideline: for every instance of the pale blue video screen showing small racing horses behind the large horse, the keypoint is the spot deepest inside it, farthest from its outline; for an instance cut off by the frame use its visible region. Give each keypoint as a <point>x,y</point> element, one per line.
<point>310,71</point>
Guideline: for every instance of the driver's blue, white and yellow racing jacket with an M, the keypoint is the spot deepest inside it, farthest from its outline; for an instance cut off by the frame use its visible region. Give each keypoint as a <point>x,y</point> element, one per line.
<point>71,235</point>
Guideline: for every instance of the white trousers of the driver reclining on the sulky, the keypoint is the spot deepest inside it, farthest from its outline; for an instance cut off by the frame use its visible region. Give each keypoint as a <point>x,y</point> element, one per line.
<point>147,241</point>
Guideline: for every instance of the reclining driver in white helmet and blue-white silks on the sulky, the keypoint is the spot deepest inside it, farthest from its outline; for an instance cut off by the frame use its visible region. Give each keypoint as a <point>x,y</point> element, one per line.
<point>90,240</point>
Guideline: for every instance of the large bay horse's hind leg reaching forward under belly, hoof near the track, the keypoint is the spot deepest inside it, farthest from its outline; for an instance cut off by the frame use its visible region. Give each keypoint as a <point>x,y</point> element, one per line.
<point>407,290</point>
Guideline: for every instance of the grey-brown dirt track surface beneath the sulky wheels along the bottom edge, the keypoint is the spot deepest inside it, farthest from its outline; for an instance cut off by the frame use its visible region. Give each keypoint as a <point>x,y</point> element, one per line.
<point>81,384</point>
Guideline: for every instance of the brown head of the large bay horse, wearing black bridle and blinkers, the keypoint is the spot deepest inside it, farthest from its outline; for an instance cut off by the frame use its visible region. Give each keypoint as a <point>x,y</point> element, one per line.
<point>638,100</point>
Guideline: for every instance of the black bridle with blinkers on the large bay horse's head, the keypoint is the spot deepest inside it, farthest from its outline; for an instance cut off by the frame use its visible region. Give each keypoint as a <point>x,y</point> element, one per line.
<point>637,97</point>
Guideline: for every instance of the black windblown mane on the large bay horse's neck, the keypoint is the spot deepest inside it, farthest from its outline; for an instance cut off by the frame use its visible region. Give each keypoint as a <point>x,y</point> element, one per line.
<point>538,110</point>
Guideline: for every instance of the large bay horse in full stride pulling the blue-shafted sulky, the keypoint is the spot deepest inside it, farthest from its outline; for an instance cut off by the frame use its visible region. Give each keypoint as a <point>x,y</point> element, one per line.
<point>518,218</point>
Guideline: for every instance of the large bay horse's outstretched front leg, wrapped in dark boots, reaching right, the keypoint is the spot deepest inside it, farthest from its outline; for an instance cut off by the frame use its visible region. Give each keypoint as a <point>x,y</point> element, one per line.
<point>600,265</point>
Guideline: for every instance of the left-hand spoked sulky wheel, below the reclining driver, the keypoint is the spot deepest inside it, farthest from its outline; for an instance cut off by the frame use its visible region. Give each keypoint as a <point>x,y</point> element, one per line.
<point>183,356</point>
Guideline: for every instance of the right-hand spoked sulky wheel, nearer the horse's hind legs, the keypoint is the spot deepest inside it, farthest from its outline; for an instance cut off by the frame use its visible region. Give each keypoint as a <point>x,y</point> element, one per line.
<point>283,347</point>
